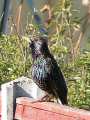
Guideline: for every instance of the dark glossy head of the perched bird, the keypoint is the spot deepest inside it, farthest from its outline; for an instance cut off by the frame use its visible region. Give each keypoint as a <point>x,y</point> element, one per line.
<point>39,46</point>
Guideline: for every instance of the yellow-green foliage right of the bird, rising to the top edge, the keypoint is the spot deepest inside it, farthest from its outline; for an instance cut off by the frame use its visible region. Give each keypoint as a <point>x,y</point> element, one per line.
<point>76,69</point>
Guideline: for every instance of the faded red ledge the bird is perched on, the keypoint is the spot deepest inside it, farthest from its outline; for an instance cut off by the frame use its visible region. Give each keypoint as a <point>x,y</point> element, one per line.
<point>26,110</point>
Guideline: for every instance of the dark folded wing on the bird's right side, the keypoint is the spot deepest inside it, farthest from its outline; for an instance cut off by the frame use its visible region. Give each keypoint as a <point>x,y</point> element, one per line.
<point>57,81</point>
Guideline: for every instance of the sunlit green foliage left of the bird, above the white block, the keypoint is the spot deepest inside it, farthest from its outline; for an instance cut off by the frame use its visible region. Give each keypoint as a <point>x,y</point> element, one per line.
<point>13,63</point>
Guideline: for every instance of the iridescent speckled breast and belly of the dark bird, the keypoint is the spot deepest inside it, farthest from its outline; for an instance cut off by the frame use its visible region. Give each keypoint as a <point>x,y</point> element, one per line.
<point>40,72</point>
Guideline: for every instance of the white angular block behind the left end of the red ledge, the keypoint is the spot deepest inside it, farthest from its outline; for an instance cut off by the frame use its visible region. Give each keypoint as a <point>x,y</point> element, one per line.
<point>21,87</point>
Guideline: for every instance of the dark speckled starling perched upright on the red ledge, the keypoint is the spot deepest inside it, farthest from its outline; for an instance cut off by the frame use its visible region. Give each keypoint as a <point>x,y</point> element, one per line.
<point>46,73</point>
